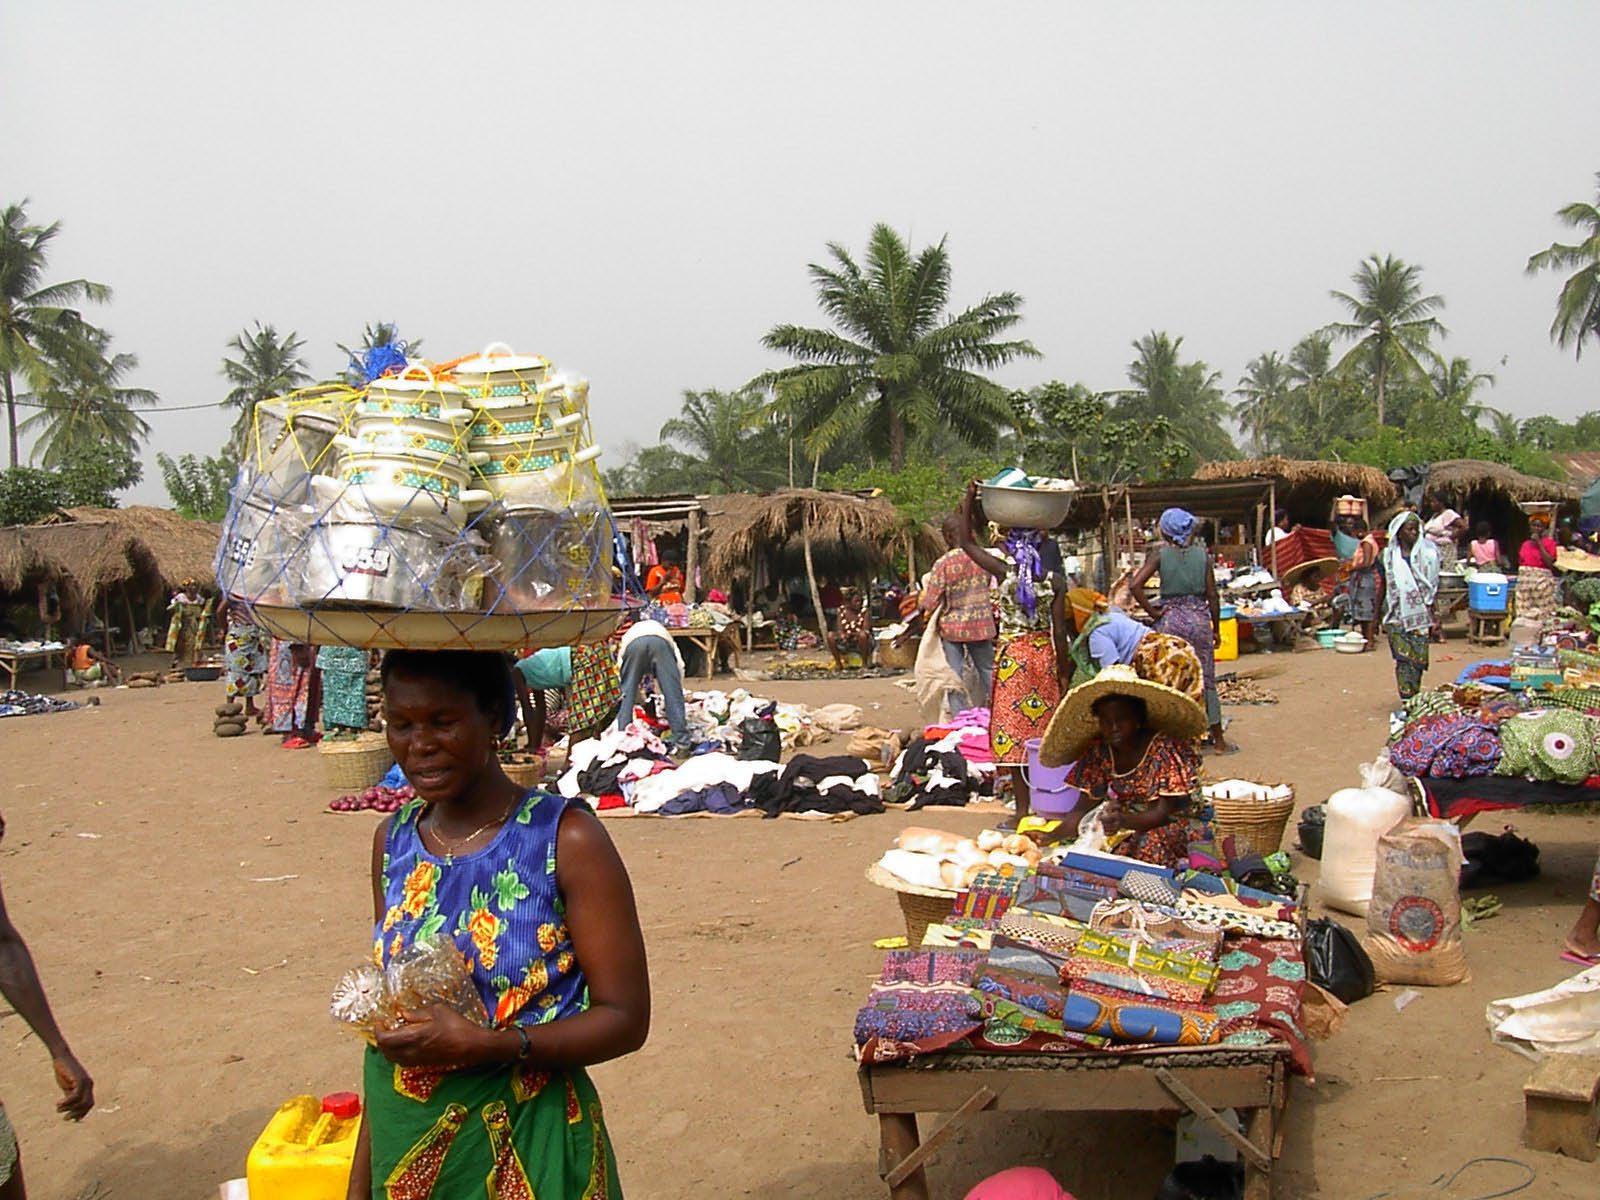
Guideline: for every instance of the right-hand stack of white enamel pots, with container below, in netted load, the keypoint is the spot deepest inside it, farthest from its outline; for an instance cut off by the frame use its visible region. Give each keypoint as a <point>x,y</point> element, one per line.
<point>550,532</point>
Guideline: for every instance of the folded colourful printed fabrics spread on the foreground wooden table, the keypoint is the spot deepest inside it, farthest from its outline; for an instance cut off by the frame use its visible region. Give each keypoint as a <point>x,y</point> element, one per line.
<point>1087,951</point>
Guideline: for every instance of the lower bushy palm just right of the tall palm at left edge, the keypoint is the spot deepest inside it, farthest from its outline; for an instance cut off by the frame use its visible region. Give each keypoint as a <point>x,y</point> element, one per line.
<point>87,406</point>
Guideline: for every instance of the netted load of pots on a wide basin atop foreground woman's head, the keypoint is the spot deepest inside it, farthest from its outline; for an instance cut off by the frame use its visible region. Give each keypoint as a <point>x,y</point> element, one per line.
<point>449,506</point>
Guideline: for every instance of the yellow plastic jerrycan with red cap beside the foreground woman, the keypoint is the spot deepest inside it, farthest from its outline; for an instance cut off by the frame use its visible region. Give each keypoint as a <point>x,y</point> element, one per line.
<point>306,1150</point>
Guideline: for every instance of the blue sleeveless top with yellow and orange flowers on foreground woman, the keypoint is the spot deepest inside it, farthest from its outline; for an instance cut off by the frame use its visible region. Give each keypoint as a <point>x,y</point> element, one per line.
<point>500,905</point>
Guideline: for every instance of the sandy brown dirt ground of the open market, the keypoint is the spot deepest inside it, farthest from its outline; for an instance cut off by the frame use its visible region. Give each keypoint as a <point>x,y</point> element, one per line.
<point>191,903</point>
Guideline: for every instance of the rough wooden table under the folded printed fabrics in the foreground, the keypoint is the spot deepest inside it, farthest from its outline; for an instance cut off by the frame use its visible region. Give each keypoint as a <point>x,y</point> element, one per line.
<point>1199,1079</point>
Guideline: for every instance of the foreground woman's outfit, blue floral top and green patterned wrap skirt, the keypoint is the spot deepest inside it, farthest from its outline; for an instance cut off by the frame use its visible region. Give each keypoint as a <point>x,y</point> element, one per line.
<point>518,1130</point>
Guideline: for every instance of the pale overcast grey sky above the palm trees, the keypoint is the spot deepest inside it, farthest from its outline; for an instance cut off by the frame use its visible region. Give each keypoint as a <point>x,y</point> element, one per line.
<point>636,190</point>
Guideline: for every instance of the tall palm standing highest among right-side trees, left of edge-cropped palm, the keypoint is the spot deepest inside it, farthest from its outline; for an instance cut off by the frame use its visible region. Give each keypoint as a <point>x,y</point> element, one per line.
<point>1391,321</point>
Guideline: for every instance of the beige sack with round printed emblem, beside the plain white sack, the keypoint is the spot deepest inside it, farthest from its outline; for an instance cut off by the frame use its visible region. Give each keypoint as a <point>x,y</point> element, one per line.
<point>1414,922</point>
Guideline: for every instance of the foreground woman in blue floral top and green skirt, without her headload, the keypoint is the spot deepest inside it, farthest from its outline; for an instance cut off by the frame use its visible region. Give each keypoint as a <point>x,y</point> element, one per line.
<point>534,892</point>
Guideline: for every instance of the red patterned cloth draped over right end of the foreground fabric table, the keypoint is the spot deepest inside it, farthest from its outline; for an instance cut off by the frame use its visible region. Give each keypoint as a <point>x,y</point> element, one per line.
<point>1260,991</point>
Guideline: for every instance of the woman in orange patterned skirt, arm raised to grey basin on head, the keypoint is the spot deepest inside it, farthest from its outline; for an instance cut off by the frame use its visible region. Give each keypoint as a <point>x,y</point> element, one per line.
<point>1033,663</point>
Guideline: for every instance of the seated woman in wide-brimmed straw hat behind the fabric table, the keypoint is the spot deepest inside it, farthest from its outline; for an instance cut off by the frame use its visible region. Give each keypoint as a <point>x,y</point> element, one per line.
<point>1134,751</point>
